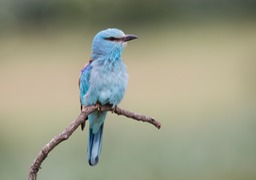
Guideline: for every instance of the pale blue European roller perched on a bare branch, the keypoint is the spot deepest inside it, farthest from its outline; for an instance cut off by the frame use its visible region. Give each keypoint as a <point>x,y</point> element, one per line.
<point>103,81</point>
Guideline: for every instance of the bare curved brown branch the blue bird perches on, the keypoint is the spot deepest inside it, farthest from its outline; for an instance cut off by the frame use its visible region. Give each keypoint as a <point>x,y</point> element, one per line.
<point>67,132</point>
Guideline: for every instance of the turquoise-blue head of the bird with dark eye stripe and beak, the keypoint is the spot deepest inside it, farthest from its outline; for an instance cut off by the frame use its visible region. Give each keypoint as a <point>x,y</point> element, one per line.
<point>110,42</point>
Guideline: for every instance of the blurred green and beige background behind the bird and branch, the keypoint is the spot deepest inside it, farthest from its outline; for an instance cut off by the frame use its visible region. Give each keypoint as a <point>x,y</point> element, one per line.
<point>193,68</point>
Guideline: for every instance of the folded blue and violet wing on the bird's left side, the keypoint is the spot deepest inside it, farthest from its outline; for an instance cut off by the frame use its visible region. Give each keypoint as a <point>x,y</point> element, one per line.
<point>84,84</point>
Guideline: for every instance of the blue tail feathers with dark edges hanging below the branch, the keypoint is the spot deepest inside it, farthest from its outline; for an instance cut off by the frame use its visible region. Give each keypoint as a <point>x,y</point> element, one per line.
<point>94,145</point>
